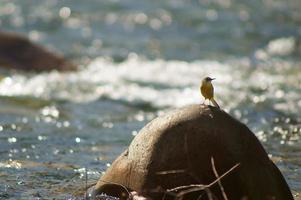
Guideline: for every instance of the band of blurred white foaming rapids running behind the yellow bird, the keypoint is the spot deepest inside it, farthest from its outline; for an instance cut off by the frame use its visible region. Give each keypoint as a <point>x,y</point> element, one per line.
<point>161,83</point>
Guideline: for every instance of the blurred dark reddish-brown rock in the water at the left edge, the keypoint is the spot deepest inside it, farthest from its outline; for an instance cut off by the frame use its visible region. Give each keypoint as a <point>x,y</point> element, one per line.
<point>17,52</point>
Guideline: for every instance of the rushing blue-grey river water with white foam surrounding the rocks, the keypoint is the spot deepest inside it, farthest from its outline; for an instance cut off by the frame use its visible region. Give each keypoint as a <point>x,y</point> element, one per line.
<point>139,59</point>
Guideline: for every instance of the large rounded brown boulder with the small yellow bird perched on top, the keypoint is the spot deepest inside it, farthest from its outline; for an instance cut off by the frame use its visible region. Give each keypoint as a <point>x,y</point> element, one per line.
<point>181,144</point>
